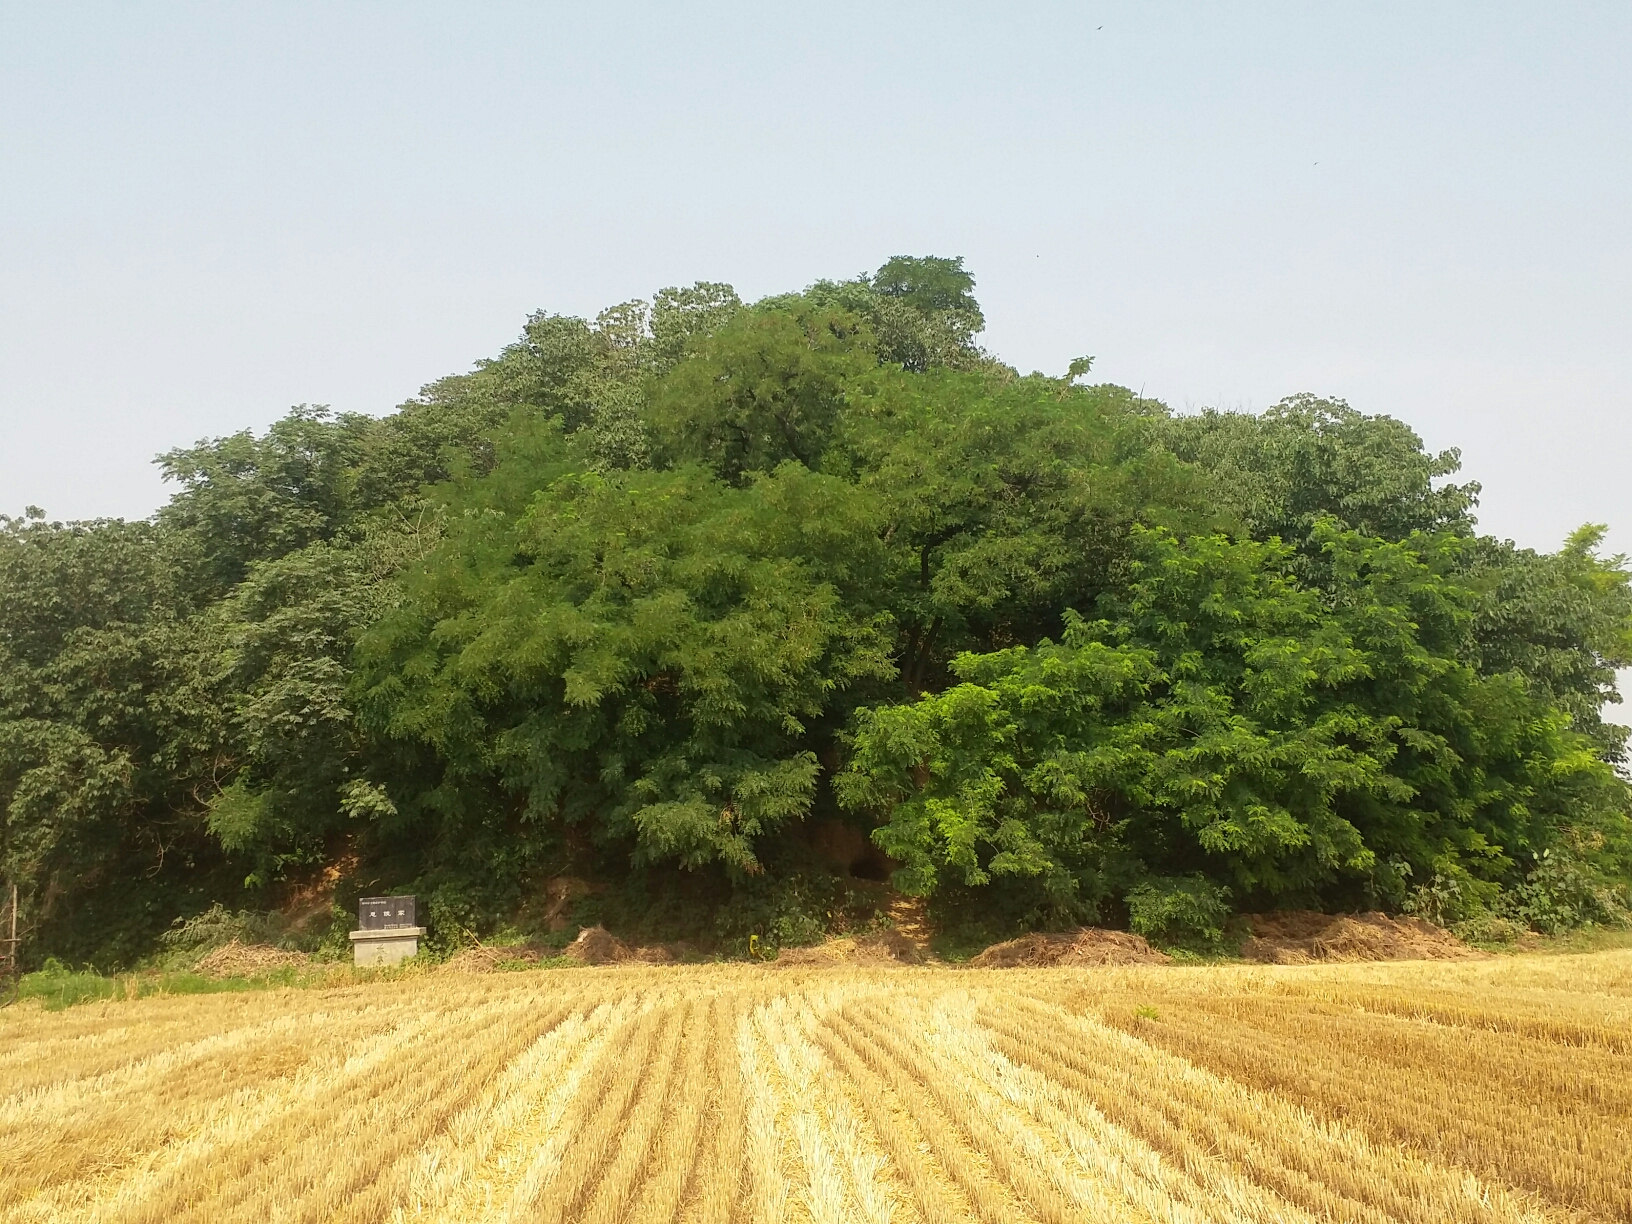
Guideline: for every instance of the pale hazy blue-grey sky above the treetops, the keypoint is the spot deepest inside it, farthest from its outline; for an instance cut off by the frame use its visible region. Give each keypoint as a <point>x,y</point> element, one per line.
<point>210,213</point>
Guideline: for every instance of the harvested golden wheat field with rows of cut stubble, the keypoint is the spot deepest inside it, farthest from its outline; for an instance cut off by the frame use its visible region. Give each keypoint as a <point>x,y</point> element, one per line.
<point>1461,1091</point>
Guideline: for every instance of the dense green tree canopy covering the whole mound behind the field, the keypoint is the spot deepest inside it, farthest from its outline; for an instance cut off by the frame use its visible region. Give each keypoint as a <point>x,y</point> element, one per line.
<point>659,596</point>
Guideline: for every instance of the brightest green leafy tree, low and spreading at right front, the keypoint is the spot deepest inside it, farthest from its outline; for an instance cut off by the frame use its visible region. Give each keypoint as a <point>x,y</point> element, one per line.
<point>1295,745</point>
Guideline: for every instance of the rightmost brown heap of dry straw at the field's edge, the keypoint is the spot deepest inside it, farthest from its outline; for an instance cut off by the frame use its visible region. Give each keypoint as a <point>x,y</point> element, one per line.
<point>1305,938</point>
